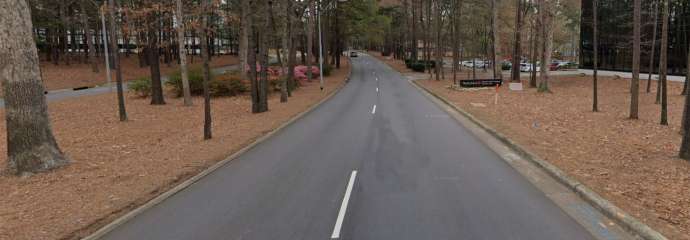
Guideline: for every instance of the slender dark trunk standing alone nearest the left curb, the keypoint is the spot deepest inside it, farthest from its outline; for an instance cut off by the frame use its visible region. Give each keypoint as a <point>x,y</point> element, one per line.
<point>205,9</point>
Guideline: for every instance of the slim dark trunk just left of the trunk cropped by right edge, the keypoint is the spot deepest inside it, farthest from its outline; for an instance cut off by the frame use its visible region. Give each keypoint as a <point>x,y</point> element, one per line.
<point>663,66</point>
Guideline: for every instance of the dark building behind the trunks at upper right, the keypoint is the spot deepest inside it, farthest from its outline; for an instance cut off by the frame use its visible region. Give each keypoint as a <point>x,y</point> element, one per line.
<point>616,33</point>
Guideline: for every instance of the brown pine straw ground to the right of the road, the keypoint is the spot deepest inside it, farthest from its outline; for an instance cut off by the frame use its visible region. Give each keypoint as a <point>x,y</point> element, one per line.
<point>632,163</point>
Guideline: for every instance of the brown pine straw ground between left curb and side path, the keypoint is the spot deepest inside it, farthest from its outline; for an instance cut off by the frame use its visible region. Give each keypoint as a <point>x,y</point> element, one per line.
<point>118,166</point>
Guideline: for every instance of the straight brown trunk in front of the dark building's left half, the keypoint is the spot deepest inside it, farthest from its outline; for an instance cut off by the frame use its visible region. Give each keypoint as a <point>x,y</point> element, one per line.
<point>635,82</point>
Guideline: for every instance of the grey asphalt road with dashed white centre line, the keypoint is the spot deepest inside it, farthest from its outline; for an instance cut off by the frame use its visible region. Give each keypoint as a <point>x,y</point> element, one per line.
<point>419,175</point>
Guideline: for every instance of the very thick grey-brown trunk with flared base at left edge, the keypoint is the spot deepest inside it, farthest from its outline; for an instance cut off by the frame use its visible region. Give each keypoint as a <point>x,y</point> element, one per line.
<point>31,146</point>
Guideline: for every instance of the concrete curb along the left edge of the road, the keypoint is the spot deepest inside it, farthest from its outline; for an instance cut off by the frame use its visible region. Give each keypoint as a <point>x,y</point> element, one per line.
<point>162,197</point>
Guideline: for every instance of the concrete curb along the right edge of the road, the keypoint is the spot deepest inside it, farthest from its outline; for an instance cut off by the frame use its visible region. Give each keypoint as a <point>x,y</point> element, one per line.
<point>627,221</point>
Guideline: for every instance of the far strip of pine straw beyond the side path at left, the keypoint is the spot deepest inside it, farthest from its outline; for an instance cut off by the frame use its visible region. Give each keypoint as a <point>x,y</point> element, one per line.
<point>63,76</point>
